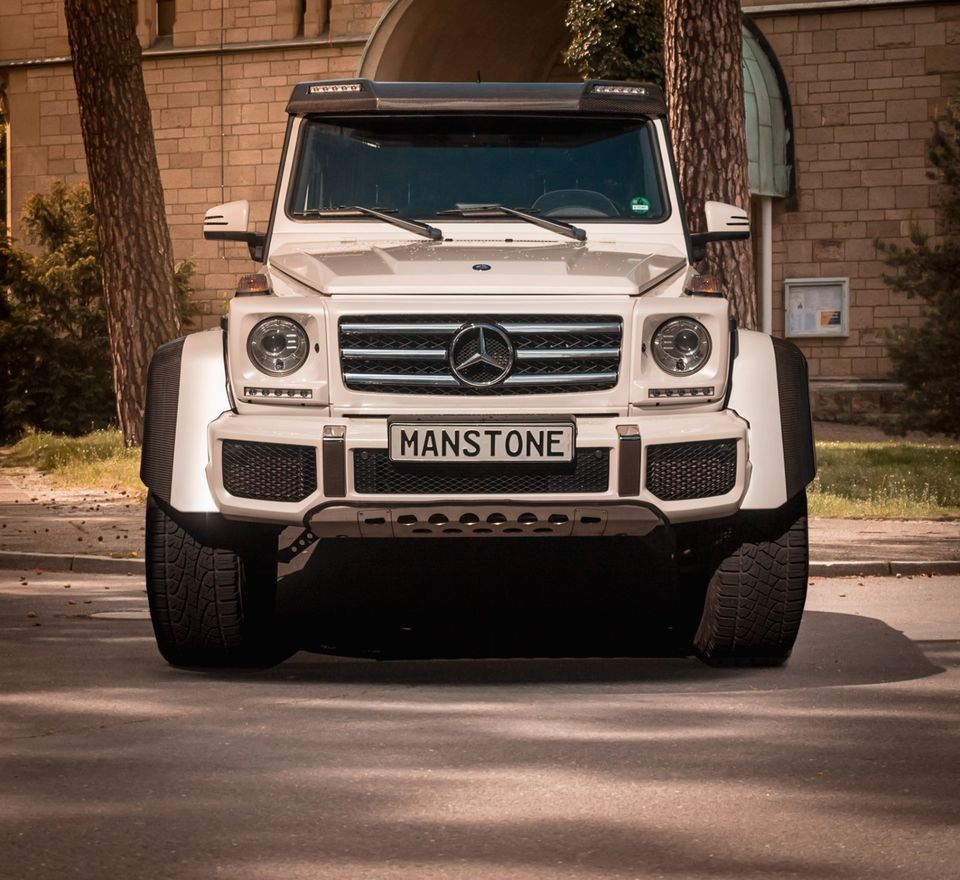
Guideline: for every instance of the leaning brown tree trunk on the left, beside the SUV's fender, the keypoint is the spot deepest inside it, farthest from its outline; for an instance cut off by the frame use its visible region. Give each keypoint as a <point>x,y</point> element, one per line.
<point>136,256</point>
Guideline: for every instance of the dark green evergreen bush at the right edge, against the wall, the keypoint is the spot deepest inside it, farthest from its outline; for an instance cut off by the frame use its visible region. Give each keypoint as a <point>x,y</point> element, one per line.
<point>925,358</point>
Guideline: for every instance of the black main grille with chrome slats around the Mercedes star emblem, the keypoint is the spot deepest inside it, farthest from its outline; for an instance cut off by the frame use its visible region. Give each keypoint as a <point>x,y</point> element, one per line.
<point>409,354</point>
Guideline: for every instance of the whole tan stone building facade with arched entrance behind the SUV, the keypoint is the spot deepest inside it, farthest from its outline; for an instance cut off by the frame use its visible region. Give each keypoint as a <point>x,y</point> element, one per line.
<point>860,84</point>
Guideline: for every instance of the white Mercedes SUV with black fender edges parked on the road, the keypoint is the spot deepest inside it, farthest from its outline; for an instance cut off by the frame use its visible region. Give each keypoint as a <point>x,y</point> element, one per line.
<point>476,319</point>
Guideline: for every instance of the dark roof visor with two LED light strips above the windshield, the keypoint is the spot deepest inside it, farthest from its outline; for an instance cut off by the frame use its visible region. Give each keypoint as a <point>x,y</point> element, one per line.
<point>366,96</point>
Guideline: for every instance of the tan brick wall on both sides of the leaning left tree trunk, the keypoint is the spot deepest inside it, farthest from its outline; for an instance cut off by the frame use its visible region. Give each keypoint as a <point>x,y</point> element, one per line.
<point>205,156</point>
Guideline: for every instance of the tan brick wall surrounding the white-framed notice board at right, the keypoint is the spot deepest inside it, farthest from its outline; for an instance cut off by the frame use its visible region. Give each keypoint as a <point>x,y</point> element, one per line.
<point>864,84</point>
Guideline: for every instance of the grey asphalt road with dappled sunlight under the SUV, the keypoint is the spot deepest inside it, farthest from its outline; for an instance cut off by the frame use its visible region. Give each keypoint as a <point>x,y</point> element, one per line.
<point>843,764</point>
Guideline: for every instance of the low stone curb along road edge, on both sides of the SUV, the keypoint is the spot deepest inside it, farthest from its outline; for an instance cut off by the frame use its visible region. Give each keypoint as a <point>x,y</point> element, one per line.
<point>108,565</point>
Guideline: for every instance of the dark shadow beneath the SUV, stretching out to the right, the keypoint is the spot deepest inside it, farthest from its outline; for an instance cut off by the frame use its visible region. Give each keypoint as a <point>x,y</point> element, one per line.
<point>493,612</point>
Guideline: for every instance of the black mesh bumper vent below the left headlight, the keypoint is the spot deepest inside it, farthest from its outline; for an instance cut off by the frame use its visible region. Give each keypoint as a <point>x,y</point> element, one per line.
<point>269,471</point>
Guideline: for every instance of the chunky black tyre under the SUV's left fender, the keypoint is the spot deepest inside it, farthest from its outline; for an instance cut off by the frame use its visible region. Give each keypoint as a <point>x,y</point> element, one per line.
<point>210,605</point>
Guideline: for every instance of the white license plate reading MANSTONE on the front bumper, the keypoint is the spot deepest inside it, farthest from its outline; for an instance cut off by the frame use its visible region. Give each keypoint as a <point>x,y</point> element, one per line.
<point>482,442</point>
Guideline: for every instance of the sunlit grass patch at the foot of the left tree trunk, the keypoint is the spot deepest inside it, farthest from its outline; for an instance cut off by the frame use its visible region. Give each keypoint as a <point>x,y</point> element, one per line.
<point>97,460</point>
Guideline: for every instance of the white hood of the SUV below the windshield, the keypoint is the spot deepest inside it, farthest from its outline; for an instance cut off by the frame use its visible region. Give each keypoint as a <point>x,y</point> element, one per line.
<point>441,268</point>
